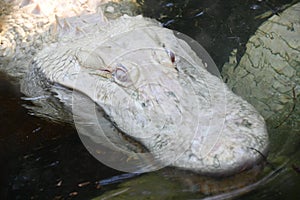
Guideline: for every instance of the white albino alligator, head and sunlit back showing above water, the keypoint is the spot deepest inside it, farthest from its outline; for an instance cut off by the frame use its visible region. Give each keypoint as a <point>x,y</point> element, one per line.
<point>151,85</point>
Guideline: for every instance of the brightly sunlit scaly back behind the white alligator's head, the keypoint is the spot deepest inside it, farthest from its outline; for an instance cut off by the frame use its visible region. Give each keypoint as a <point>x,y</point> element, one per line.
<point>25,28</point>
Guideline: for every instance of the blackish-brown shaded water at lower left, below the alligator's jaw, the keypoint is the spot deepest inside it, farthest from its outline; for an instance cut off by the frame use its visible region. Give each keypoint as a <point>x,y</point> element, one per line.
<point>39,159</point>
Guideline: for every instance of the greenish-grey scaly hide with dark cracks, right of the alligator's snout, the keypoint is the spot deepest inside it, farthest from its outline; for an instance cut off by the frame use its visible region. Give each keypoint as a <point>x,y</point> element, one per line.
<point>268,75</point>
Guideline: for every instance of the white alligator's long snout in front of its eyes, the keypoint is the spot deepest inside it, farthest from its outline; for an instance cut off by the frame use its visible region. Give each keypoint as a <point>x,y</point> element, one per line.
<point>200,126</point>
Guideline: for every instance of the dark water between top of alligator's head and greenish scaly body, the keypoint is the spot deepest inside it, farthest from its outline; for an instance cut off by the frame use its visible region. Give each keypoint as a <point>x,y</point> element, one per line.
<point>219,26</point>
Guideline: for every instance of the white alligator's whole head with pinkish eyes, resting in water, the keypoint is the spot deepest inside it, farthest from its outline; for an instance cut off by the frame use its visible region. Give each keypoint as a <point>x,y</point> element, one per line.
<point>156,90</point>
